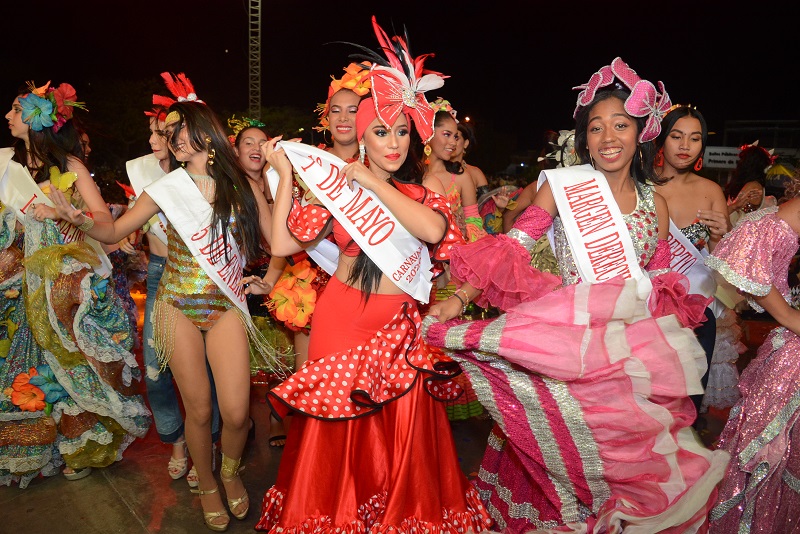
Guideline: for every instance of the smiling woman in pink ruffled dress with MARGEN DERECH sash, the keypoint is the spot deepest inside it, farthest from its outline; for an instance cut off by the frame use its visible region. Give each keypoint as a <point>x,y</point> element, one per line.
<point>588,383</point>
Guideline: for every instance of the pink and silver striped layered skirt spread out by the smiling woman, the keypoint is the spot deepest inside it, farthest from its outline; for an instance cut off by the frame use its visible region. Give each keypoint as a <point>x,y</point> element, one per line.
<point>592,410</point>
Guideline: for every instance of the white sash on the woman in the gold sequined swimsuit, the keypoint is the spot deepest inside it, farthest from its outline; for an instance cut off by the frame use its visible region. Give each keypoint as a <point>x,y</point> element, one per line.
<point>190,213</point>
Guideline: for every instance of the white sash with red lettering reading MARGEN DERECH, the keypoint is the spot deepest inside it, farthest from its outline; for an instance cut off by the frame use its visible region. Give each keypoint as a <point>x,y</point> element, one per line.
<point>594,227</point>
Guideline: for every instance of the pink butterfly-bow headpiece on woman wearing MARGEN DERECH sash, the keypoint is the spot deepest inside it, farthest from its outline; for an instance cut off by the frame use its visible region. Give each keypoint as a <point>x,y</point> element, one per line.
<point>644,101</point>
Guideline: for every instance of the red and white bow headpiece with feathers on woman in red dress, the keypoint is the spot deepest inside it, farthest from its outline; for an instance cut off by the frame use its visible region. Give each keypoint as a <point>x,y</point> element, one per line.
<point>399,86</point>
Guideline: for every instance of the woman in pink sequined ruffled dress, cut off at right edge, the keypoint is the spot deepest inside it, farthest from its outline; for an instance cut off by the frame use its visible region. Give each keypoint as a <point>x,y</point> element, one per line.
<point>761,489</point>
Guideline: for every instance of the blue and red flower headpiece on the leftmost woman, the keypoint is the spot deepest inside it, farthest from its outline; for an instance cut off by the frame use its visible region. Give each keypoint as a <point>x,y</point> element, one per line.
<point>48,107</point>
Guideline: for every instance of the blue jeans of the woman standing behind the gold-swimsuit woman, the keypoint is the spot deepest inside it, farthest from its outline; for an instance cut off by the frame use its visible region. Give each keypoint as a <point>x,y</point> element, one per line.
<point>161,393</point>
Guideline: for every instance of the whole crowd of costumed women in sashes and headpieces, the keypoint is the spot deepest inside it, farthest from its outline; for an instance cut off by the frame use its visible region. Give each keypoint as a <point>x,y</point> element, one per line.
<point>613,285</point>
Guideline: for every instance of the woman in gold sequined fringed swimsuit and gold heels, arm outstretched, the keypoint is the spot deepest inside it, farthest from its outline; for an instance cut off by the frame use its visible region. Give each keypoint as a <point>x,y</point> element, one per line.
<point>216,218</point>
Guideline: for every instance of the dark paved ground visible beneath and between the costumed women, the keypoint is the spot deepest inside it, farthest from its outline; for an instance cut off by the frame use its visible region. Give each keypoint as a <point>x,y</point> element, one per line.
<point>136,495</point>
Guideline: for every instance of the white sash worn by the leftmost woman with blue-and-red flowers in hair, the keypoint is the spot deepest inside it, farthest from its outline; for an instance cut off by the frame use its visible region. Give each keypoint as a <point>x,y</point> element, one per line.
<point>21,192</point>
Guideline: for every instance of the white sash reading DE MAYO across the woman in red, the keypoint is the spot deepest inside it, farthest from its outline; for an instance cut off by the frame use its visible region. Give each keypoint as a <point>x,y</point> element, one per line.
<point>399,255</point>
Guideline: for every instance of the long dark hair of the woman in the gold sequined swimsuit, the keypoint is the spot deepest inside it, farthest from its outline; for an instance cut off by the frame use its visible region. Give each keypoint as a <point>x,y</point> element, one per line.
<point>233,193</point>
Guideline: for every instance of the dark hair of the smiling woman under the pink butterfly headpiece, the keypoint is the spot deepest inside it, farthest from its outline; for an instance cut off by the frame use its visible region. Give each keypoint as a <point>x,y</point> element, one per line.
<point>642,170</point>
